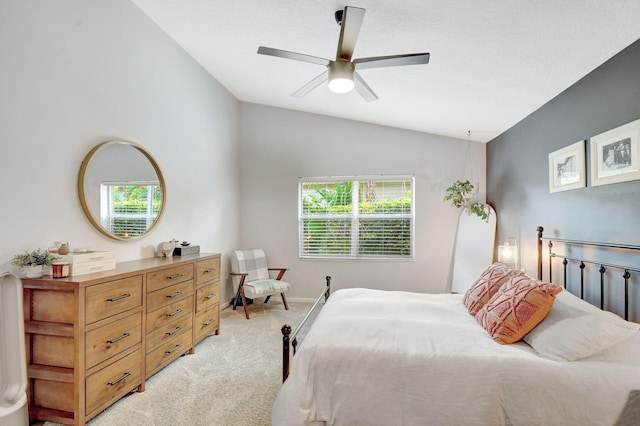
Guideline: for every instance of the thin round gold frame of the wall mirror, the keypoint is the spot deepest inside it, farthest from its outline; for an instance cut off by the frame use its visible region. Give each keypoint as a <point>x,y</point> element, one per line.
<point>82,194</point>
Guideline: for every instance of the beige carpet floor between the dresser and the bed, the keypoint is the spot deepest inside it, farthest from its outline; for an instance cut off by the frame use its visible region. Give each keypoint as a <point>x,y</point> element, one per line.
<point>232,379</point>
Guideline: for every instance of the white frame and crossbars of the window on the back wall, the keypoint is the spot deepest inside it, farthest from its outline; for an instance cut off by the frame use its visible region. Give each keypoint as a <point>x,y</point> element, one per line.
<point>355,216</point>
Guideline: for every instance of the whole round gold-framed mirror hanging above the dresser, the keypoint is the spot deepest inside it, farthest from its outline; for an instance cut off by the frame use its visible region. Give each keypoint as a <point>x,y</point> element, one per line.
<point>121,189</point>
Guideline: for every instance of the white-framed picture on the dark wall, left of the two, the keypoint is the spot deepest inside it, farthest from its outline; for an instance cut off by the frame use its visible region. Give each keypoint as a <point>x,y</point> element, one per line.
<point>567,168</point>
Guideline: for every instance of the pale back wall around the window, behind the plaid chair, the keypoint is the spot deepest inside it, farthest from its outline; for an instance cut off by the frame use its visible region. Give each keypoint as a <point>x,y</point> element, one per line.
<point>279,146</point>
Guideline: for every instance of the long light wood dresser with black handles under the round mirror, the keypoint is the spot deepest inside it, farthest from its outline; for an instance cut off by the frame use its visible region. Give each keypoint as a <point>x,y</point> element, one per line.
<point>91,339</point>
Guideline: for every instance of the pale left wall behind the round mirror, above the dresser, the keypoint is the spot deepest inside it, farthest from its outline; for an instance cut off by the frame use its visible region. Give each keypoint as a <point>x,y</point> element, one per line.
<point>74,73</point>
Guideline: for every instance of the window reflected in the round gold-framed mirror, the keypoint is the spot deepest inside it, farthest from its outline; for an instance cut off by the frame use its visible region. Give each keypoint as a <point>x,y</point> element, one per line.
<point>128,209</point>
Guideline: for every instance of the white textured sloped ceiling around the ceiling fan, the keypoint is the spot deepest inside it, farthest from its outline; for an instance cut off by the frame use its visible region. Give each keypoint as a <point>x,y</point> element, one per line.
<point>493,62</point>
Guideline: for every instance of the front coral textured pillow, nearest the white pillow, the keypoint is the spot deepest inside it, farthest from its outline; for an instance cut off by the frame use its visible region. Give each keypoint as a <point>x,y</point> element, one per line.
<point>517,308</point>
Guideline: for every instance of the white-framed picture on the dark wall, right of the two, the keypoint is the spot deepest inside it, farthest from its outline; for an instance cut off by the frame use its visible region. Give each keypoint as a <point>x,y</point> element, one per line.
<point>615,156</point>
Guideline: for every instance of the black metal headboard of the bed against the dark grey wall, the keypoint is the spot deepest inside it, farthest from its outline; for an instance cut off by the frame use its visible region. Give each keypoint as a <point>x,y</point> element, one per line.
<point>626,275</point>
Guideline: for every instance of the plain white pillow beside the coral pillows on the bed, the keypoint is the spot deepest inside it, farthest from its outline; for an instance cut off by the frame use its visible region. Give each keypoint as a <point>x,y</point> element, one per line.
<point>574,329</point>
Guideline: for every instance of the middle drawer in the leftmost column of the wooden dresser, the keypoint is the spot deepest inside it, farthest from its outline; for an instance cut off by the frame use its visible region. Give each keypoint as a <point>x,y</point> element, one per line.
<point>111,339</point>
